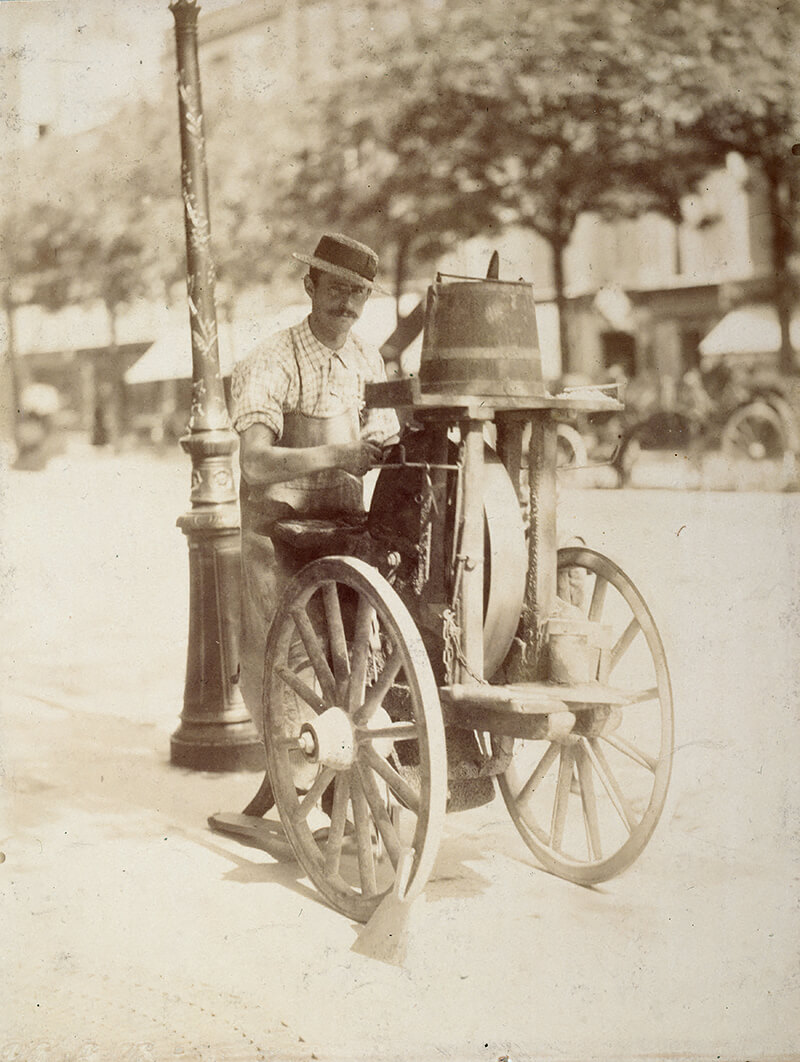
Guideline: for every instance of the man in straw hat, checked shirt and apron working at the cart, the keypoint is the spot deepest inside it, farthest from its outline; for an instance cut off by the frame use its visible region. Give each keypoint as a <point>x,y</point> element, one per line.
<point>307,439</point>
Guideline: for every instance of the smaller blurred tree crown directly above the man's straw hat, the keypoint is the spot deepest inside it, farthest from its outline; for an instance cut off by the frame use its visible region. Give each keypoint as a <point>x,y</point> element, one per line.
<point>367,164</point>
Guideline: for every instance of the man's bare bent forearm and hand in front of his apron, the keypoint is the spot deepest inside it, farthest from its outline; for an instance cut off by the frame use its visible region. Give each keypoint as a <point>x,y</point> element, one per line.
<point>263,464</point>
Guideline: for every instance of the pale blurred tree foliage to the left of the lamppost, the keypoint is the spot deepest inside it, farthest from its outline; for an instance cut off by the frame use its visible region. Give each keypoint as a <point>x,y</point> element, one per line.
<point>97,222</point>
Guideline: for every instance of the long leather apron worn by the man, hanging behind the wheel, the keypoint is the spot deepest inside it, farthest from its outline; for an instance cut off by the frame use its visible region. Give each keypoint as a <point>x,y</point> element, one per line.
<point>266,564</point>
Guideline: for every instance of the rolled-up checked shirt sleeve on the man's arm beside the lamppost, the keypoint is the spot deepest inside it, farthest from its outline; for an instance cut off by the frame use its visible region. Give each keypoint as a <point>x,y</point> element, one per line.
<point>260,387</point>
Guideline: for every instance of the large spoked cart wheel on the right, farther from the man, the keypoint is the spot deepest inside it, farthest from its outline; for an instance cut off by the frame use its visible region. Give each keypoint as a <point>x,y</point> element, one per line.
<point>587,804</point>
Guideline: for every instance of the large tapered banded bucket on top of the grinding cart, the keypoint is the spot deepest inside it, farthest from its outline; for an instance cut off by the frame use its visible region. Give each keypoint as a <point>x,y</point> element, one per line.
<point>481,340</point>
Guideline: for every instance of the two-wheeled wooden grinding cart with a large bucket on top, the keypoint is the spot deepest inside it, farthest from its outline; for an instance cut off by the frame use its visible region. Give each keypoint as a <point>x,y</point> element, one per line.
<point>445,645</point>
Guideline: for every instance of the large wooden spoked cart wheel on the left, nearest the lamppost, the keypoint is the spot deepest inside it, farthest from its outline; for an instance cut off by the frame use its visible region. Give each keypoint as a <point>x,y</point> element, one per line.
<point>355,739</point>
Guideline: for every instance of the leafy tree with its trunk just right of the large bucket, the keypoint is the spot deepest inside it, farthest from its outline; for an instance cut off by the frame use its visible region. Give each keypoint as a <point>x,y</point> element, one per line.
<point>559,118</point>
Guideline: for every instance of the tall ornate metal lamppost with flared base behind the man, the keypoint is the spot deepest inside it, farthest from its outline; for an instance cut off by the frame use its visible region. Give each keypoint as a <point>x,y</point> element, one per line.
<point>216,732</point>
